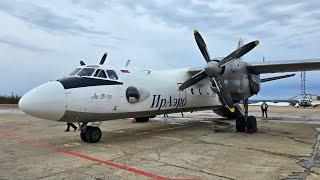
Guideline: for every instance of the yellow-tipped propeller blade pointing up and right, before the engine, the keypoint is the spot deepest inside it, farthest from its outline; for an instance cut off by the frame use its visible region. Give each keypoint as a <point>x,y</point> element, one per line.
<point>238,53</point>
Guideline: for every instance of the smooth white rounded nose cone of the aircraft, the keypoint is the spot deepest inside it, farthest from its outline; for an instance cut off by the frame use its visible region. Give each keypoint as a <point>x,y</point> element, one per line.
<point>46,101</point>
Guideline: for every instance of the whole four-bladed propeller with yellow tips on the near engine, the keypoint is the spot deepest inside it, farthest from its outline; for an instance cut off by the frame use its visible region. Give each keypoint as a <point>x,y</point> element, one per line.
<point>214,69</point>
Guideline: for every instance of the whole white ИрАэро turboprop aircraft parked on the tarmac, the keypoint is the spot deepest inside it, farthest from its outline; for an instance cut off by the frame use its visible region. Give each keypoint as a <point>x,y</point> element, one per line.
<point>95,93</point>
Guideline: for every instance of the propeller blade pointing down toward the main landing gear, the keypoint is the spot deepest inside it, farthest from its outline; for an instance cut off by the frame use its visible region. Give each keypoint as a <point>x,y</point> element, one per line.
<point>223,92</point>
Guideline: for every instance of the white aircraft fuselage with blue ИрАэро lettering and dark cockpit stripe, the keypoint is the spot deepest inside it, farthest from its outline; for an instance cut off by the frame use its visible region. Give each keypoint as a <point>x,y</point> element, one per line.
<point>88,99</point>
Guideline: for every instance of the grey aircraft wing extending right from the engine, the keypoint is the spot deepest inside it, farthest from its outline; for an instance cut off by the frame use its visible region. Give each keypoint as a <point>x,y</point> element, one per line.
<point>284,66</point>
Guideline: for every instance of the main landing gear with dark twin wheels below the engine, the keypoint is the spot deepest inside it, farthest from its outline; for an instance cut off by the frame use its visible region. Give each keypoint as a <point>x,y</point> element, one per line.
<point>245,123</point>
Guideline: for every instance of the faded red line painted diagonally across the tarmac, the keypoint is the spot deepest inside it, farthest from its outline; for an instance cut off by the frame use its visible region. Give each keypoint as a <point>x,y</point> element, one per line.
<point>8,136</point>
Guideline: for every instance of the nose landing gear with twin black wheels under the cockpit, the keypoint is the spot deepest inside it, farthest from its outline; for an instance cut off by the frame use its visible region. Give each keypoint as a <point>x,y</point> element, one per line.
<point>92,133</point>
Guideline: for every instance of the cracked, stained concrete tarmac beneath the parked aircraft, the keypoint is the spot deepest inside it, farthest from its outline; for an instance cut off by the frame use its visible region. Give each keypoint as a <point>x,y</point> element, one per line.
<point>199,145</point>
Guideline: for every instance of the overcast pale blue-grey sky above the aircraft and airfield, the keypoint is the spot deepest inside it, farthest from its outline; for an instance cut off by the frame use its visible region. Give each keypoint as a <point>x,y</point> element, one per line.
<point>44,40</point>
